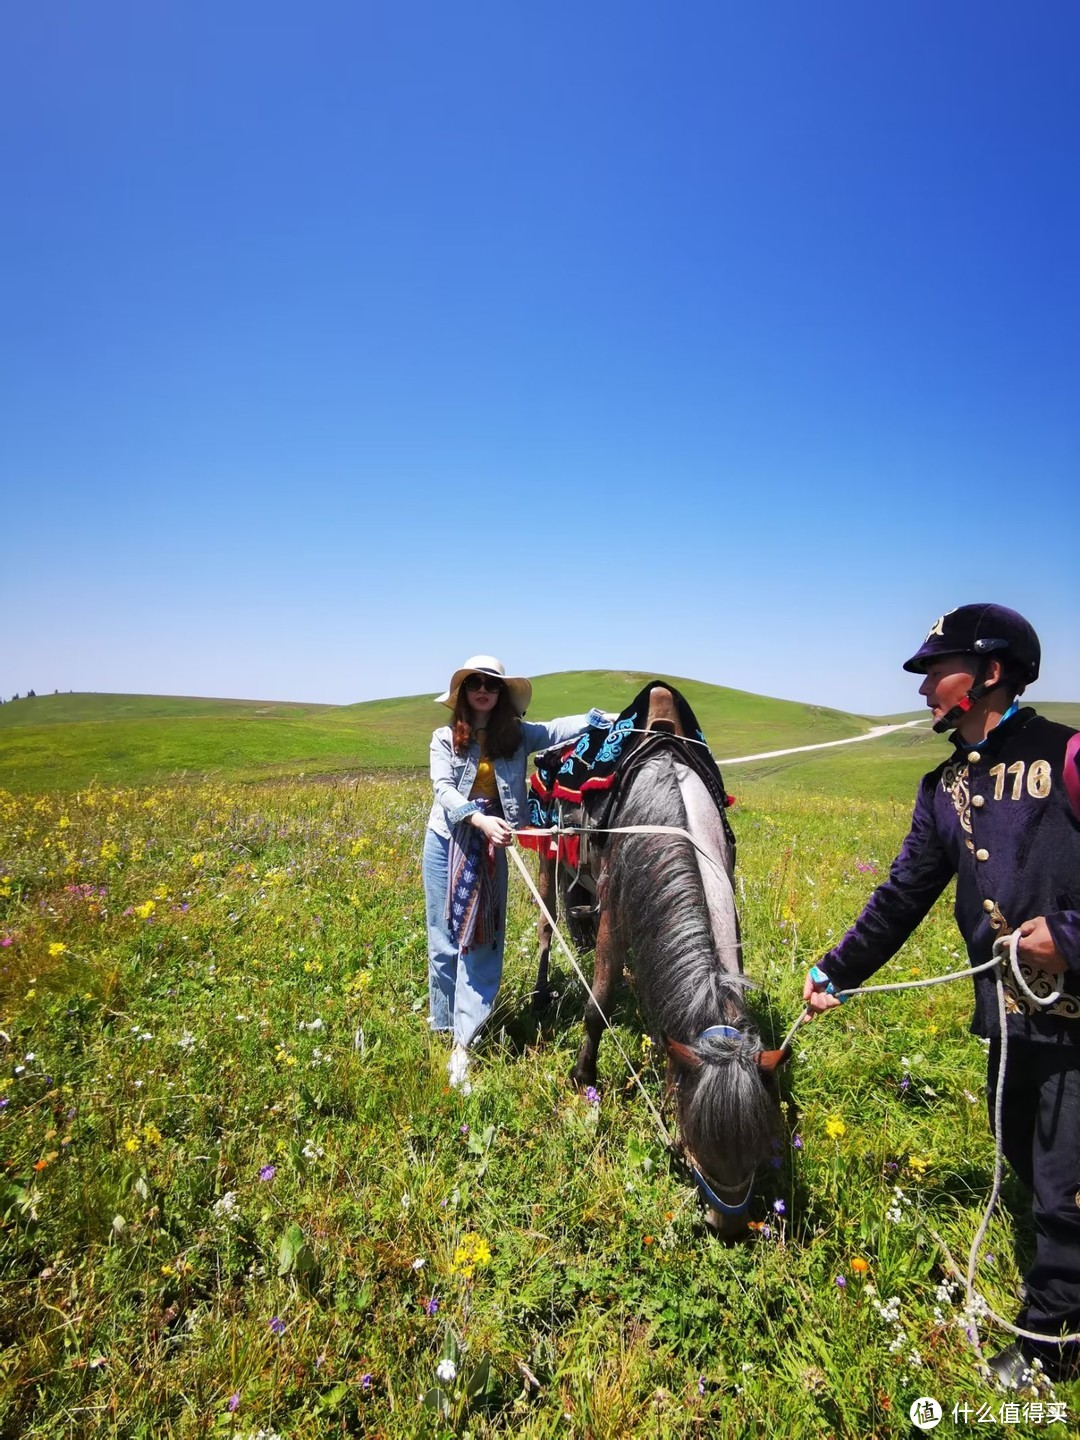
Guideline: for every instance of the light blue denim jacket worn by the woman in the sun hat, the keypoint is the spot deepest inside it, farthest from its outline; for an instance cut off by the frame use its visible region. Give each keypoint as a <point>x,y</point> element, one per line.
<point>453,775</point>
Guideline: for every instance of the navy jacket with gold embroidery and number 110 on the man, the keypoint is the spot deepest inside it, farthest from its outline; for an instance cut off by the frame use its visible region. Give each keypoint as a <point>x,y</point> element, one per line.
<point>997,817</point>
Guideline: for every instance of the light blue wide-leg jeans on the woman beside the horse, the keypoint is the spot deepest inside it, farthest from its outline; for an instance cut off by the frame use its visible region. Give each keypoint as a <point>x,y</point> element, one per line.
<point>462,989</point>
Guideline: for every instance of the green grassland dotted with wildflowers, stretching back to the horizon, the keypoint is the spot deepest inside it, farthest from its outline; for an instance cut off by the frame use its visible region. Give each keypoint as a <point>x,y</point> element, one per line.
<point>238,1197</point>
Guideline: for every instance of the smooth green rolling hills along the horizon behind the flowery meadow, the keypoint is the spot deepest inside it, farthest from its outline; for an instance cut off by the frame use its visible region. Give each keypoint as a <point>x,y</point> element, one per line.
<point>68,742</point>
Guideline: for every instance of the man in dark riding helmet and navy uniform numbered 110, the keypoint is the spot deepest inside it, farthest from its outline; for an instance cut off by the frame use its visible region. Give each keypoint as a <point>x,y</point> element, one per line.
<point>997,816</point>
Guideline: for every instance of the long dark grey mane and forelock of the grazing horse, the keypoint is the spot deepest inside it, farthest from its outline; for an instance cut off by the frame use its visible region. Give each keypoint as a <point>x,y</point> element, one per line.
<point>662,927</point>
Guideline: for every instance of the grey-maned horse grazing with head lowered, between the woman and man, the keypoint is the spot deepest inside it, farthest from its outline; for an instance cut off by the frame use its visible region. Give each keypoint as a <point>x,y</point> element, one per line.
<point>665,905</point>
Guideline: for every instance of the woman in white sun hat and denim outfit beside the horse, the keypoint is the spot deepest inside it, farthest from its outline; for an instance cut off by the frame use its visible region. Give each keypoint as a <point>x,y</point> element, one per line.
<point>479,773</point>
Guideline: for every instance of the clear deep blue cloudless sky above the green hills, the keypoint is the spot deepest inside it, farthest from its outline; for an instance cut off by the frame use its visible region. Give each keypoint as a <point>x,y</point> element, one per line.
<point>342,342</point>
